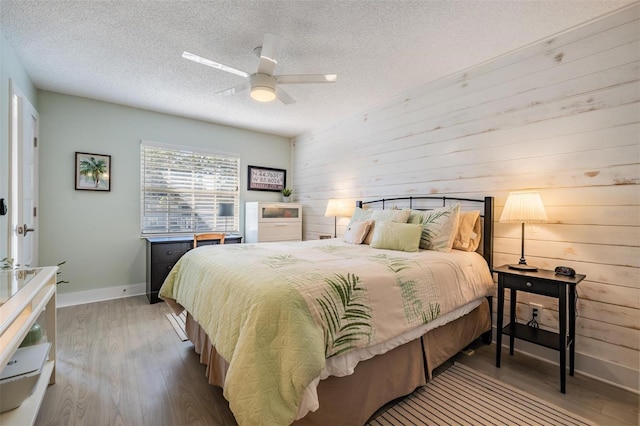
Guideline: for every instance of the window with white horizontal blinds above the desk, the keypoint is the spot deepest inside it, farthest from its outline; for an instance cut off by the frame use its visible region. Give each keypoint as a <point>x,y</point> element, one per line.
<point>181,189</point>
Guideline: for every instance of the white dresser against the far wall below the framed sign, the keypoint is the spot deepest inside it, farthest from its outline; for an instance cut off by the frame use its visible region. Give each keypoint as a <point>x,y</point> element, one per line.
<point>265,222</point>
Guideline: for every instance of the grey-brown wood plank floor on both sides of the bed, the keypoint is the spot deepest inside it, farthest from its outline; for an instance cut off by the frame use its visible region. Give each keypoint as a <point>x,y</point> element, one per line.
<point>121,363</point>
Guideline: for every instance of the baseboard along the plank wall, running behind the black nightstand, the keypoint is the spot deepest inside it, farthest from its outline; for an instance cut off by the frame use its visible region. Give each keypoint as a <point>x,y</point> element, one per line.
<point>599,369</point>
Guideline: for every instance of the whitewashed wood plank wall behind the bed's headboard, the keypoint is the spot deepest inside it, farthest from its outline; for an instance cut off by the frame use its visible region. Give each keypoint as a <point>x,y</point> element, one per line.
<point>561,116</point>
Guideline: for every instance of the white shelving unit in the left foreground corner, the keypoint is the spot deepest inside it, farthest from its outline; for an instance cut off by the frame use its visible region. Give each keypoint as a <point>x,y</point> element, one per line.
<point>24,296</point>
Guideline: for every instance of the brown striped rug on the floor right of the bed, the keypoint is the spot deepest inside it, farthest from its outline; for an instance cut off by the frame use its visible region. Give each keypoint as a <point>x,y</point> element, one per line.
<point>463,396</point>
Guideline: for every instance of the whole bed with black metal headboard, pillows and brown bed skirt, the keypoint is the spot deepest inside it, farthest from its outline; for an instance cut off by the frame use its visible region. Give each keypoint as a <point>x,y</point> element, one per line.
<point>328,331</point>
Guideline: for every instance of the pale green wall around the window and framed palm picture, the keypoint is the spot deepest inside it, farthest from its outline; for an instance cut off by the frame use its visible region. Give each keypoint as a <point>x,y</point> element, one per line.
<point>98,233</point>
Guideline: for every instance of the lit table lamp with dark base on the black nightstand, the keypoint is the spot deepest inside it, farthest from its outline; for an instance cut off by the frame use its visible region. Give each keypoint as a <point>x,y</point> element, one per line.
<point>523,207</point>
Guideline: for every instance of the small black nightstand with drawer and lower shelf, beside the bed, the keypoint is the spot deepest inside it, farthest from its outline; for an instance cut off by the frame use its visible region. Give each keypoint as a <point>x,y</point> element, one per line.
<point>545,283</point>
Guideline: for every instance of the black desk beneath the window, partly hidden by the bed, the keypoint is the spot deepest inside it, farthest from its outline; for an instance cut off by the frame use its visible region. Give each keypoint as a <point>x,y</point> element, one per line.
<point>164,252</point>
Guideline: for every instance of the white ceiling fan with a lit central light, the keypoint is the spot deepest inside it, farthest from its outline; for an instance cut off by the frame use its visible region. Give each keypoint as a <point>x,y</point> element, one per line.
<point>264,86</point>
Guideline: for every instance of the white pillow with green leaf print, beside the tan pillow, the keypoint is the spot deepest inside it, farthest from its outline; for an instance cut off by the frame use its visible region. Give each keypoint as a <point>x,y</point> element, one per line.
<point>439,228</point>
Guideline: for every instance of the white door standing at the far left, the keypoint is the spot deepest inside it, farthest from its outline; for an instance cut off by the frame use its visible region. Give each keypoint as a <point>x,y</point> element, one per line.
<point>23,180</point>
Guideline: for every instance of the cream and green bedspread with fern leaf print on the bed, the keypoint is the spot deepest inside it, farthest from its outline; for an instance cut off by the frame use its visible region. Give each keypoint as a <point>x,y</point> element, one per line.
<point>276,311</point>
